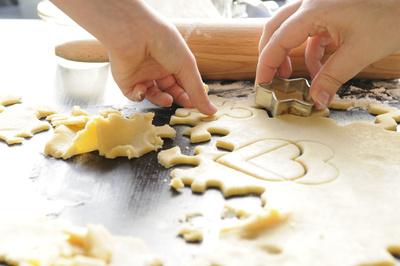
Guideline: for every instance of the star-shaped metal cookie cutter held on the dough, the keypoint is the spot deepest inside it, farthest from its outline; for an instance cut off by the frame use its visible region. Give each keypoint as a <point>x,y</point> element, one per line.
<point>285,96</point>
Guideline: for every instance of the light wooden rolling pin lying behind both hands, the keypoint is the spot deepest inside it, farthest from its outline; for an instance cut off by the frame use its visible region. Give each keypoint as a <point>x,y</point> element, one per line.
<point>227,50</point>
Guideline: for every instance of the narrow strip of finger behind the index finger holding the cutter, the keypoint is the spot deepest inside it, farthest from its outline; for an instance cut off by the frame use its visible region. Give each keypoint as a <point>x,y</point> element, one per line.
<point>275,22</point>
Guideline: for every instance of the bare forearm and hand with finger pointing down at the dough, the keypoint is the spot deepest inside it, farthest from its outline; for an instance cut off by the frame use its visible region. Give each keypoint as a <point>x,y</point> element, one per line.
<point>149,58</point>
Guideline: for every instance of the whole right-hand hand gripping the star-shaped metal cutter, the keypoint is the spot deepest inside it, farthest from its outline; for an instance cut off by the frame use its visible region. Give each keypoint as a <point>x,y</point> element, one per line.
<point>363,31</point>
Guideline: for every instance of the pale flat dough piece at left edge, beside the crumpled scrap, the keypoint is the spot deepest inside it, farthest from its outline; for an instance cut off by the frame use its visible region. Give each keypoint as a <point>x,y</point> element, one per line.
<point>18,123</point>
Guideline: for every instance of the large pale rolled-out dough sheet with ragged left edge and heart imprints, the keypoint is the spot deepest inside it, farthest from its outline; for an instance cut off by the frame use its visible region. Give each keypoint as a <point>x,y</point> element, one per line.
<point>354,173</point>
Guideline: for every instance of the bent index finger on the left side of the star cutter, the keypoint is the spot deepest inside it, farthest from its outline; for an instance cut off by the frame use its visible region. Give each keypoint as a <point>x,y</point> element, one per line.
<point>292,33</point>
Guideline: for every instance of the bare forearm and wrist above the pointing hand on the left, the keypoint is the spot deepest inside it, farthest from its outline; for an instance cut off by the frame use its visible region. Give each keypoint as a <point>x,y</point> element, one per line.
<point>117,24</point>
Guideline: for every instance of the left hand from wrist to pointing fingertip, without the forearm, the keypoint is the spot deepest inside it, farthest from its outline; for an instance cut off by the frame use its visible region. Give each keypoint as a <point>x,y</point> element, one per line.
<point>157,64</point>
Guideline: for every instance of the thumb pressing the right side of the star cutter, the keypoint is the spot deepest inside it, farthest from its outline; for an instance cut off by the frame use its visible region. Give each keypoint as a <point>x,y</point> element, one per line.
<point>341,66</point>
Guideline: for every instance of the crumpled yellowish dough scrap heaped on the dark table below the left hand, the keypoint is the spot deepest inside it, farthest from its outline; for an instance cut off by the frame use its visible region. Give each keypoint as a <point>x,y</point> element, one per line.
<point>135,136</point>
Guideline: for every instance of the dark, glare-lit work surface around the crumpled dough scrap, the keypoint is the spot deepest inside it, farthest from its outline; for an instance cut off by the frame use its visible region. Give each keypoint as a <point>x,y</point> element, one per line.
<point>129,197</point>
